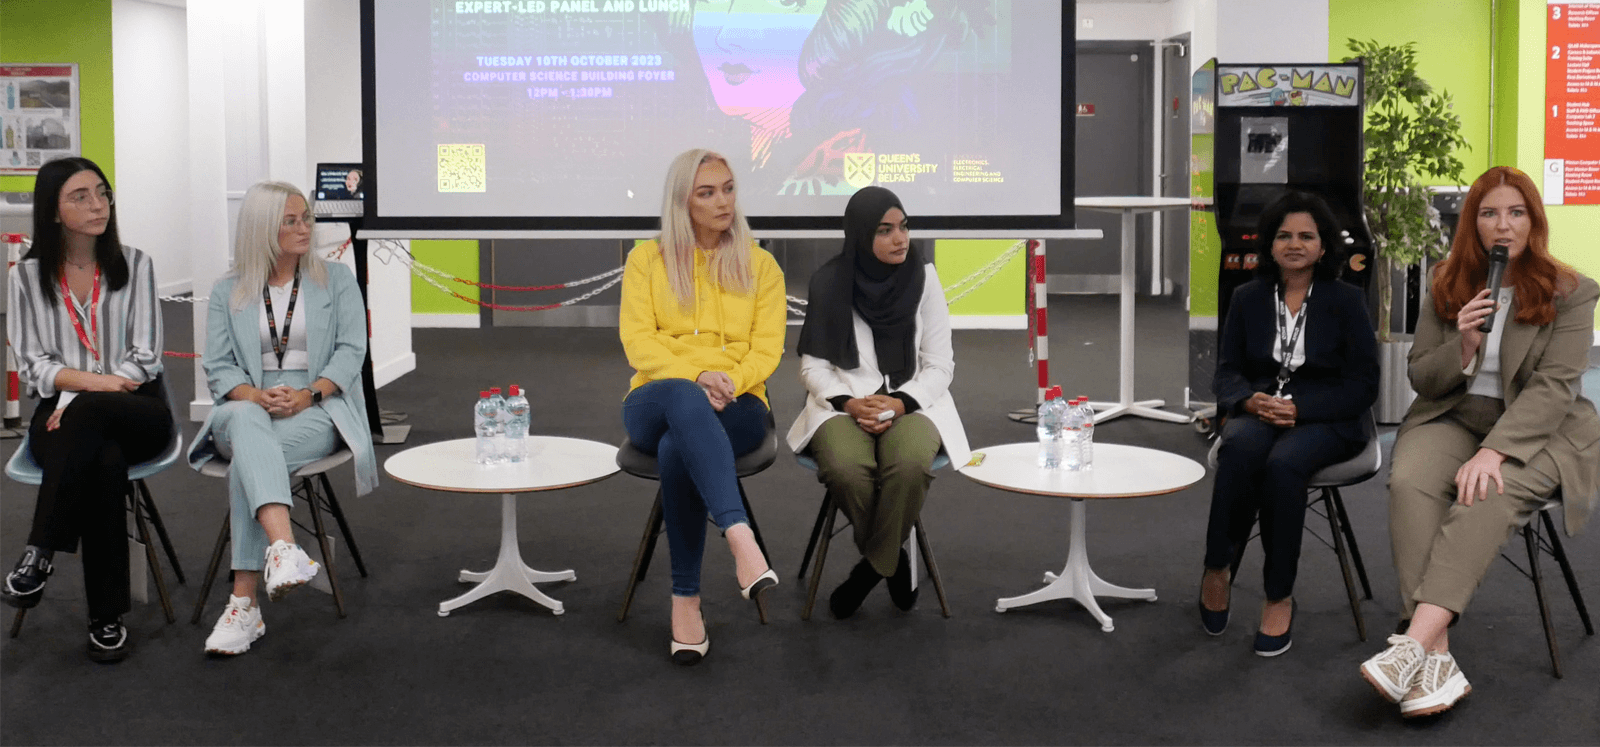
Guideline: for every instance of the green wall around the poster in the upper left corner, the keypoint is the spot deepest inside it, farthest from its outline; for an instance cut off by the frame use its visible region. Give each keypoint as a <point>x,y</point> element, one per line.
<point>60,31</point>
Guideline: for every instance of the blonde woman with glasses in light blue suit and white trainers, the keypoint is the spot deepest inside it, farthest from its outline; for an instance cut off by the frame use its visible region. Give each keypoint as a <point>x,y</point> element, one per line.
<point>286,340</point>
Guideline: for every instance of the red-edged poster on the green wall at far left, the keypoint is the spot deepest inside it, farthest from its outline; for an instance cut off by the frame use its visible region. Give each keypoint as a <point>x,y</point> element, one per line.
<point>39,116</point>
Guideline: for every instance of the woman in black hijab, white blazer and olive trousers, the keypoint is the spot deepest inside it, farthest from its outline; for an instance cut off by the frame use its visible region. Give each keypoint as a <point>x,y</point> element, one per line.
<point>878,366</point>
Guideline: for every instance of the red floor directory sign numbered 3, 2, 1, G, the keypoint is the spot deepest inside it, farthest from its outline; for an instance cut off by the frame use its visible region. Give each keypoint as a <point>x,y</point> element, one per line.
<point>1572,105</point>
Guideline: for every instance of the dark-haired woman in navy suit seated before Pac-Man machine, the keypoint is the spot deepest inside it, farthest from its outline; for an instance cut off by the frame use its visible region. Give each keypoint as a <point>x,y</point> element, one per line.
<point>1297,370</point>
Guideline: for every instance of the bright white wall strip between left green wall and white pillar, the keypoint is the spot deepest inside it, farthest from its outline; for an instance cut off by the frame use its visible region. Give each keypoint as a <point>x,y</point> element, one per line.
<point>151,94</point>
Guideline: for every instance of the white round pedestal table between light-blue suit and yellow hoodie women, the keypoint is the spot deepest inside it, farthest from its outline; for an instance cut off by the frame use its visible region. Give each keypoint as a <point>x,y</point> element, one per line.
<point>553,463</point>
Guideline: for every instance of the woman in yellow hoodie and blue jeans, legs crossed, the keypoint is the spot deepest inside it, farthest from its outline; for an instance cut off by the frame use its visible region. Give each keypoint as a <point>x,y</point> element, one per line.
<point>703,327</point>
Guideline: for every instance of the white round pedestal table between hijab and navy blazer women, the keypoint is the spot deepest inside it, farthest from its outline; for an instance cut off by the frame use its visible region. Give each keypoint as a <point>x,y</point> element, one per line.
<point>1118,473</point>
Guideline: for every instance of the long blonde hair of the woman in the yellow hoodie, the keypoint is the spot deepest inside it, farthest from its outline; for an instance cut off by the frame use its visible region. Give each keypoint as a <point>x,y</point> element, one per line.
<point>730,260</point>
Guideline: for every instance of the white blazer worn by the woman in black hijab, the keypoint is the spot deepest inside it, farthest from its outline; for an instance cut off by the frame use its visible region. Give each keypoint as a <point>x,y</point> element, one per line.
<point>930,386</point>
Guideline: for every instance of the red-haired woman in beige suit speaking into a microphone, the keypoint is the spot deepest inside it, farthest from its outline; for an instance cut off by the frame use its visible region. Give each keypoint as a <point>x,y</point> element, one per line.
<point>1498,426</point>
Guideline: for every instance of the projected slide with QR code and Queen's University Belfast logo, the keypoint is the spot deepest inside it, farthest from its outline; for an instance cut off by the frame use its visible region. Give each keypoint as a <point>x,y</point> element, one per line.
<point>574,108</point>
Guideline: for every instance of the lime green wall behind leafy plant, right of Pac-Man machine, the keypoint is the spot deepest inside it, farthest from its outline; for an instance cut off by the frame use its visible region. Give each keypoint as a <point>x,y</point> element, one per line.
<point>1452,54</point>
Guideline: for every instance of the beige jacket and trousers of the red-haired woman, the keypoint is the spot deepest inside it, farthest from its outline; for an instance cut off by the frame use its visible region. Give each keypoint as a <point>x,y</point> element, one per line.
<point>1543,425</point>
